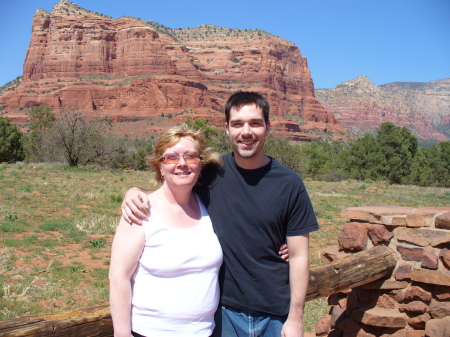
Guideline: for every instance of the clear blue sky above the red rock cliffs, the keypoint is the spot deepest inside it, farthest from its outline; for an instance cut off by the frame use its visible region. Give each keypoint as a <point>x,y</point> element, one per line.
<point>385,40</point>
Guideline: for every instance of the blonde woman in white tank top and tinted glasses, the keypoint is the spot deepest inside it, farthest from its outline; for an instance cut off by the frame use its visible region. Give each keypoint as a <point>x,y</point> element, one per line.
<point>163,275</point>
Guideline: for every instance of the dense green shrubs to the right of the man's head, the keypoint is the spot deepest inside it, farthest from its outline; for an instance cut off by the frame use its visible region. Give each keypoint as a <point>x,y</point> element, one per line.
<point>392,155</point>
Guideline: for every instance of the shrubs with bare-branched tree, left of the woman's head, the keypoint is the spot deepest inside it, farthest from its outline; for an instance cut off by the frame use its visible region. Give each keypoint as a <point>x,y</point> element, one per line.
<point>72,139</point>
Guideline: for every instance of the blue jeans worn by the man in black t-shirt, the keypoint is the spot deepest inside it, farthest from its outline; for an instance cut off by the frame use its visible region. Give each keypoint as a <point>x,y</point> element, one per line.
<point>231,322</point>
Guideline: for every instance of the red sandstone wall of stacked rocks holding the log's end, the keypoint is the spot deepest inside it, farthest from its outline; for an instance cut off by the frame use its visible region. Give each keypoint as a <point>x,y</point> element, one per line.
<point>415,300</point>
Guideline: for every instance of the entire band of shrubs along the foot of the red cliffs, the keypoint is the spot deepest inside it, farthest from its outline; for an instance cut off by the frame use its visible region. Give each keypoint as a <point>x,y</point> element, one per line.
<point>392,155</point>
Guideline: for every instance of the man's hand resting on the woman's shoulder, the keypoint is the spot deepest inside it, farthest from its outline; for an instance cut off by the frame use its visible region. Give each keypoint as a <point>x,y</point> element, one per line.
<point>135,206</point>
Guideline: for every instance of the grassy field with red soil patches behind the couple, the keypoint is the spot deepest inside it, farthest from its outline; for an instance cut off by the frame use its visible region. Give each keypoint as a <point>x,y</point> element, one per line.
<point>57,224</point>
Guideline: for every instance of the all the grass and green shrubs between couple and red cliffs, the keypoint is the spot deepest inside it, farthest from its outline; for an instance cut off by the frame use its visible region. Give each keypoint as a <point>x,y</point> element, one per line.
<point>63,182</point>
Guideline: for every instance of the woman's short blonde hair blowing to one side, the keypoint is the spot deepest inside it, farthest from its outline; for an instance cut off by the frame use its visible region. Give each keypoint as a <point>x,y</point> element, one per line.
<point>171,137</point>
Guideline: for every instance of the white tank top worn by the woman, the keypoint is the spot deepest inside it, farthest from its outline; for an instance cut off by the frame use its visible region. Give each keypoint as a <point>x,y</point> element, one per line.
<point>175,286</point>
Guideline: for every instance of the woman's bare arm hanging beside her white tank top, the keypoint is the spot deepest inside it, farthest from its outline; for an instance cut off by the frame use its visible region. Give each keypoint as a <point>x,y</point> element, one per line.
<point>126,249</point>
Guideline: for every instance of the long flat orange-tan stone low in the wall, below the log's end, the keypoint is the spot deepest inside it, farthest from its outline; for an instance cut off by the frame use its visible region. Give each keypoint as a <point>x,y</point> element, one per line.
<point>390,318</point>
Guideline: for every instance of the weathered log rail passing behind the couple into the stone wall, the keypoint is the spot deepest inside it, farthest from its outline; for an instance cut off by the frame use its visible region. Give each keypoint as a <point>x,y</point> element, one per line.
<point>356,270</point>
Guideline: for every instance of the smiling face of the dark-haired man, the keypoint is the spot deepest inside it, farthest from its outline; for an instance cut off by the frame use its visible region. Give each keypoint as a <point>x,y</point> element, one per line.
<point>247,131</point>
